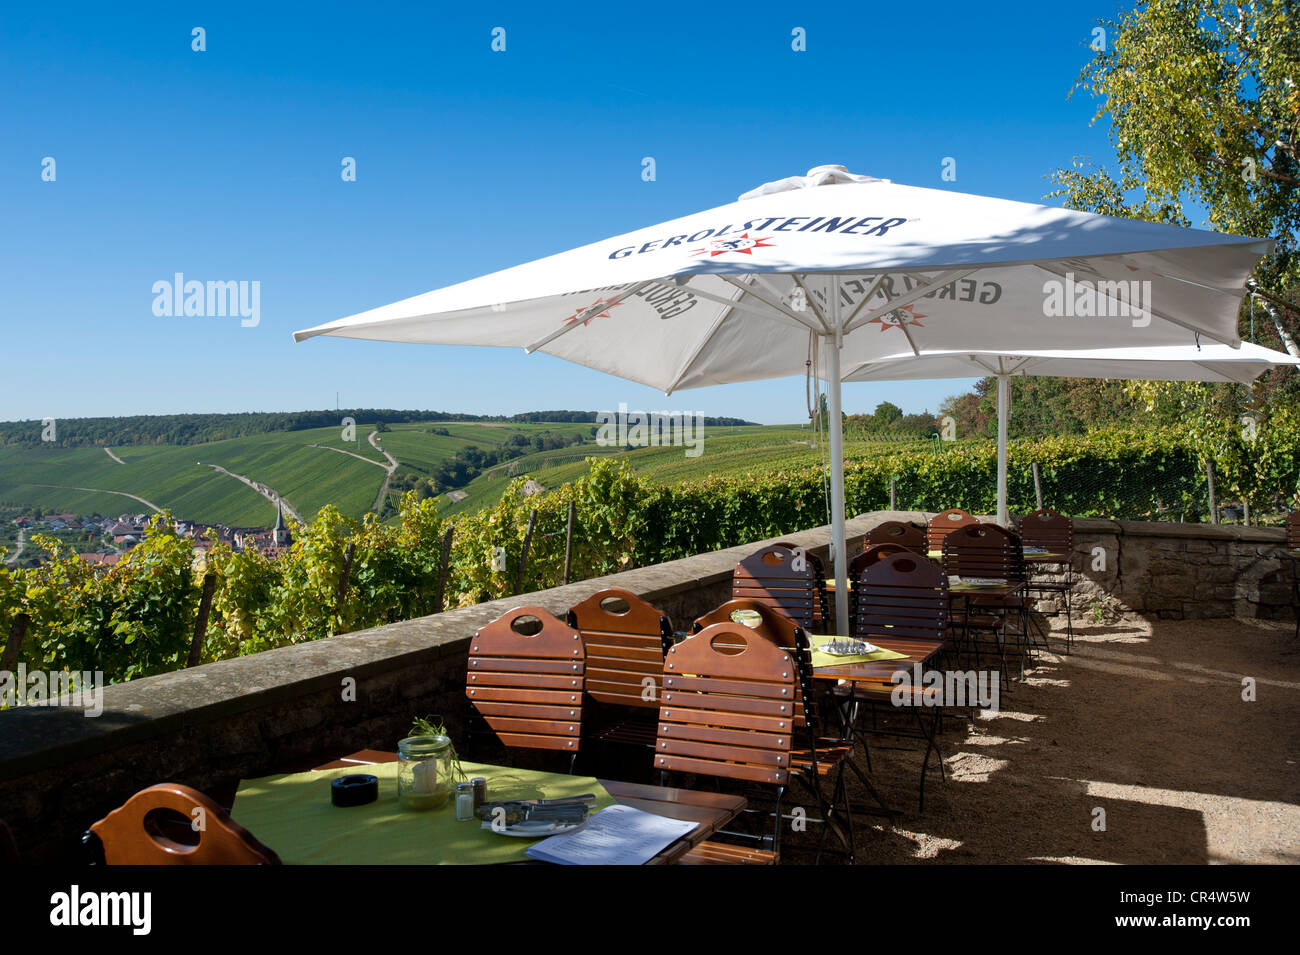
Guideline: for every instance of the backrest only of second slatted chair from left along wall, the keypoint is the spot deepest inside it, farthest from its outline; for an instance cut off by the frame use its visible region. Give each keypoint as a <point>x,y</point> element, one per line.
<point>626,640</point>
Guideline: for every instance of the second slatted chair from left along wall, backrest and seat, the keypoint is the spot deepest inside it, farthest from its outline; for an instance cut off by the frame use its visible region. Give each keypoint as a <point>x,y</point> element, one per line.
<point>626,641</point>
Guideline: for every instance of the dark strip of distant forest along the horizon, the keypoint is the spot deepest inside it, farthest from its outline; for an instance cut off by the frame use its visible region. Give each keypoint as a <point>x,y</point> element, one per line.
<point>201,429</point>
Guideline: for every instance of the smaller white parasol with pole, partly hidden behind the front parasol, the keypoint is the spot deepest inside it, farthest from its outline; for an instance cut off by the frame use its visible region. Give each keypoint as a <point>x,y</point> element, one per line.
<point>1211,363</point>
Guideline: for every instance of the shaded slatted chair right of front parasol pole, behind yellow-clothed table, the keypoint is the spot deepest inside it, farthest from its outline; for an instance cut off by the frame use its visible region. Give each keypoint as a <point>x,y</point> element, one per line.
<point>904,597</point>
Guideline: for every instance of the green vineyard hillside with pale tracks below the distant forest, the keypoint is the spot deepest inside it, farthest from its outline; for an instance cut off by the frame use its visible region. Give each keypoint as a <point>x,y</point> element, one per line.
<point>310,468</point>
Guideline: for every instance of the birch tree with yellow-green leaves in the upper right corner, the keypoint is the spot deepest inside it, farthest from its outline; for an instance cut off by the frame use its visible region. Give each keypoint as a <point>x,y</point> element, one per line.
<point>1203,99</point>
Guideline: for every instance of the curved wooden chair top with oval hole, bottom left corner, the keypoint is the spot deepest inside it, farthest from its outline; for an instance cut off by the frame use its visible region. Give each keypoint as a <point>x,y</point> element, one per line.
<point>142,832</point>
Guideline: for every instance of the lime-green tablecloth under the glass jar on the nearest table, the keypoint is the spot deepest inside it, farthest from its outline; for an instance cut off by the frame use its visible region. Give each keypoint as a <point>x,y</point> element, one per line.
<point>294,817</point>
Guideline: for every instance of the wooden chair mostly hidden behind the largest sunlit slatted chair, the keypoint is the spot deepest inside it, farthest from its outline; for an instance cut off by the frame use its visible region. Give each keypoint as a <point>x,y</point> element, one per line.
<point>817,754</point>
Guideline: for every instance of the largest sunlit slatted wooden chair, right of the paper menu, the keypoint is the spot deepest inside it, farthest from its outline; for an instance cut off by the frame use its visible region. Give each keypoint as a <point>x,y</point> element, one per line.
<point>730,715</point>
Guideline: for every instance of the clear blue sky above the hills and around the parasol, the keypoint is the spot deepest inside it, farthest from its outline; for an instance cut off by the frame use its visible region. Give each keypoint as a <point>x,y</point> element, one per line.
<point>226,166</point>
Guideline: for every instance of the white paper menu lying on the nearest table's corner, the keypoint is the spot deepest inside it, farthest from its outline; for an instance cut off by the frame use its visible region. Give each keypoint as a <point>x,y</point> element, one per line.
<point>617,836</point>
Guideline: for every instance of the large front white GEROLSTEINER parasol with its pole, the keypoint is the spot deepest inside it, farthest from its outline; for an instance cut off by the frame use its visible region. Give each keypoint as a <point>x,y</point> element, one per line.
<point>857,267</point>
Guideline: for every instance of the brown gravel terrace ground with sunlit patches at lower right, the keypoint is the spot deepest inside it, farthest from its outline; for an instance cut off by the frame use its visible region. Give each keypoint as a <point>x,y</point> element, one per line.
<point>1145,720</point>
